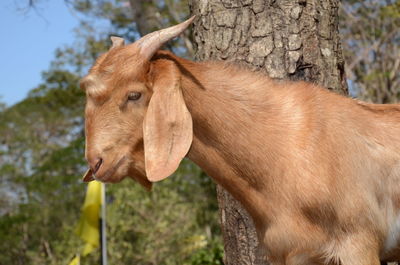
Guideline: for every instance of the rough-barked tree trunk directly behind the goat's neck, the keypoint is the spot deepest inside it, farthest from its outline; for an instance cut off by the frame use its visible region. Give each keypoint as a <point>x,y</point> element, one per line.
<point>286,39</point>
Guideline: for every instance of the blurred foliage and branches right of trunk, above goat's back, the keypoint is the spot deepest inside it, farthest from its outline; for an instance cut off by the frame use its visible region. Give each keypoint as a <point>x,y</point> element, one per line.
<point>371,38</point>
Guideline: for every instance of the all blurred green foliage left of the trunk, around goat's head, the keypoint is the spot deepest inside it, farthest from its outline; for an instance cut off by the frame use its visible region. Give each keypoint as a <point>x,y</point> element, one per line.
<point>42,160</point>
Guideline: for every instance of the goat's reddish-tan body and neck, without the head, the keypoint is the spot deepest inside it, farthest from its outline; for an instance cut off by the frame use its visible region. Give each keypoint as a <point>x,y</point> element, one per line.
<point>318,172</point>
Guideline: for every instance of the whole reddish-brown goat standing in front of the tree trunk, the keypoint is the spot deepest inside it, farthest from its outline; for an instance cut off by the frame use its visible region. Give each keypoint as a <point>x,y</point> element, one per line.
<point>318,172</point>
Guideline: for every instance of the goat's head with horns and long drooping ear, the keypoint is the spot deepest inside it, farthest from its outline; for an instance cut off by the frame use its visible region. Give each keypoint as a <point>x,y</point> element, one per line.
<point>137,123</point>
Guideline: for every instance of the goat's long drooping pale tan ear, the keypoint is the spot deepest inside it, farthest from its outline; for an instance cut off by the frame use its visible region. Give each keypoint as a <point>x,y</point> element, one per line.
<point>167,127</point>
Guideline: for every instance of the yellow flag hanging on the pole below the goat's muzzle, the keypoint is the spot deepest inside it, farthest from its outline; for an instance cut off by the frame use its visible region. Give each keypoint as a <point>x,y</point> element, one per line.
<point>88,227</point>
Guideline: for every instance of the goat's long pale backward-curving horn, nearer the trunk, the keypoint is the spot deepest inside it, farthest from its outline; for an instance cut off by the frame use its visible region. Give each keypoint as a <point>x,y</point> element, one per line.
<point>151,42</point>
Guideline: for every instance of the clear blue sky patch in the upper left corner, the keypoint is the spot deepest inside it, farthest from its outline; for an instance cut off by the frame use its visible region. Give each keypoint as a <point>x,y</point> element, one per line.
<point>28,42</point>
